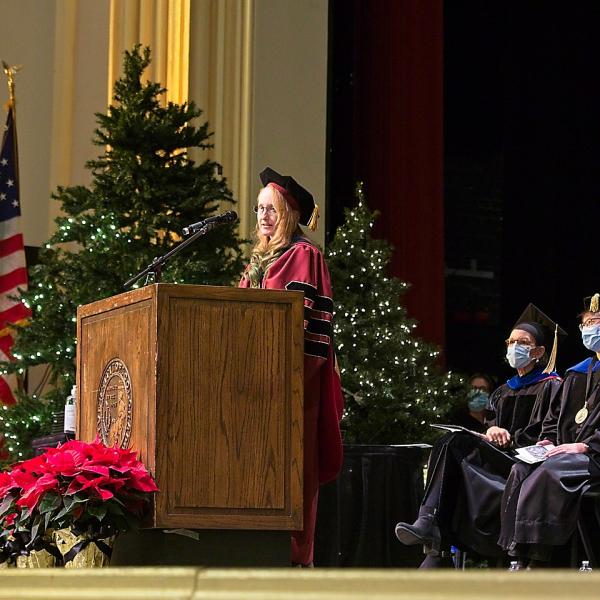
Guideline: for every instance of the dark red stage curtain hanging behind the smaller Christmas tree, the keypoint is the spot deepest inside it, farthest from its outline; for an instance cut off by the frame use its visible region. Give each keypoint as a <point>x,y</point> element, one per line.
<point>398,145</point>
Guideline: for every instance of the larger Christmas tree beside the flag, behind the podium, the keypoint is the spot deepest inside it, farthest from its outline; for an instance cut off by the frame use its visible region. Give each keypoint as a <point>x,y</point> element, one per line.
<point>145,189</point>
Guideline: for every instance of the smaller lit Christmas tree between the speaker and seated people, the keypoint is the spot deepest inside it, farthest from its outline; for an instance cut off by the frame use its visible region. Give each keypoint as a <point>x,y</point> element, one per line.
<point>393,388</point>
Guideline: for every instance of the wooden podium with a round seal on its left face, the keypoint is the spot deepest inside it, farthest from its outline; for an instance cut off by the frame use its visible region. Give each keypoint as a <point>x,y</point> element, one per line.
<point>207,384</point>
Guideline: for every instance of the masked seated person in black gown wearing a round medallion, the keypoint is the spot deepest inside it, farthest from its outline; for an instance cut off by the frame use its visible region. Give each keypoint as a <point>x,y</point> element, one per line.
<point>541,502</point>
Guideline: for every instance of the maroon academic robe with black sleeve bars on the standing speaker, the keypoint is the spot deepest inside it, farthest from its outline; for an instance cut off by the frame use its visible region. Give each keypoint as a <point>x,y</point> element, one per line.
<point>302,267</point>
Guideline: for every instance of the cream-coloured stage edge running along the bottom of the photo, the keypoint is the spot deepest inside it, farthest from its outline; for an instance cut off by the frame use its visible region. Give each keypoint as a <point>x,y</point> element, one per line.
<point>183,583</point>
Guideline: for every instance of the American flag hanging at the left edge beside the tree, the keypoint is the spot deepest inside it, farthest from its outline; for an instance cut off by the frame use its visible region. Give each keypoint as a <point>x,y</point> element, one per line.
<point>13,271</point>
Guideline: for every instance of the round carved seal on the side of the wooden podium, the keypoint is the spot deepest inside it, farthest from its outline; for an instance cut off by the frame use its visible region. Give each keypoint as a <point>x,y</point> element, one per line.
<point>115,405</point>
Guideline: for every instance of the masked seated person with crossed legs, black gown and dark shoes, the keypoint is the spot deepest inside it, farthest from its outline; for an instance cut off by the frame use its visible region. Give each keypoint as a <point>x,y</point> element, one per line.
<point>467,472</point>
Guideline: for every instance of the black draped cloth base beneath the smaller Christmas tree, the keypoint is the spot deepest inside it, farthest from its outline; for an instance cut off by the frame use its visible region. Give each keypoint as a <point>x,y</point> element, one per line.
<point>378,487</point>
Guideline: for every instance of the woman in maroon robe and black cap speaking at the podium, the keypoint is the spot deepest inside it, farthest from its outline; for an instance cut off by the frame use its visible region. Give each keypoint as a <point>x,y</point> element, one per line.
<point>283,258</point>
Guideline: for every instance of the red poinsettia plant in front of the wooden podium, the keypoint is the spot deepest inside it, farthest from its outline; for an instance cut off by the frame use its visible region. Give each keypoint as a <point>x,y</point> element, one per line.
<point>87,486</point>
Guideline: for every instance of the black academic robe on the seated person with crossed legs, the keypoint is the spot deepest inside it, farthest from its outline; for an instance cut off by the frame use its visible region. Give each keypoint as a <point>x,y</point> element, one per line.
<point>466,474</point>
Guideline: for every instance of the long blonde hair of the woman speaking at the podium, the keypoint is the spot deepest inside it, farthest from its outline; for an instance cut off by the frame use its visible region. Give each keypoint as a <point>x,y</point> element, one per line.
<point>267,249</point>
